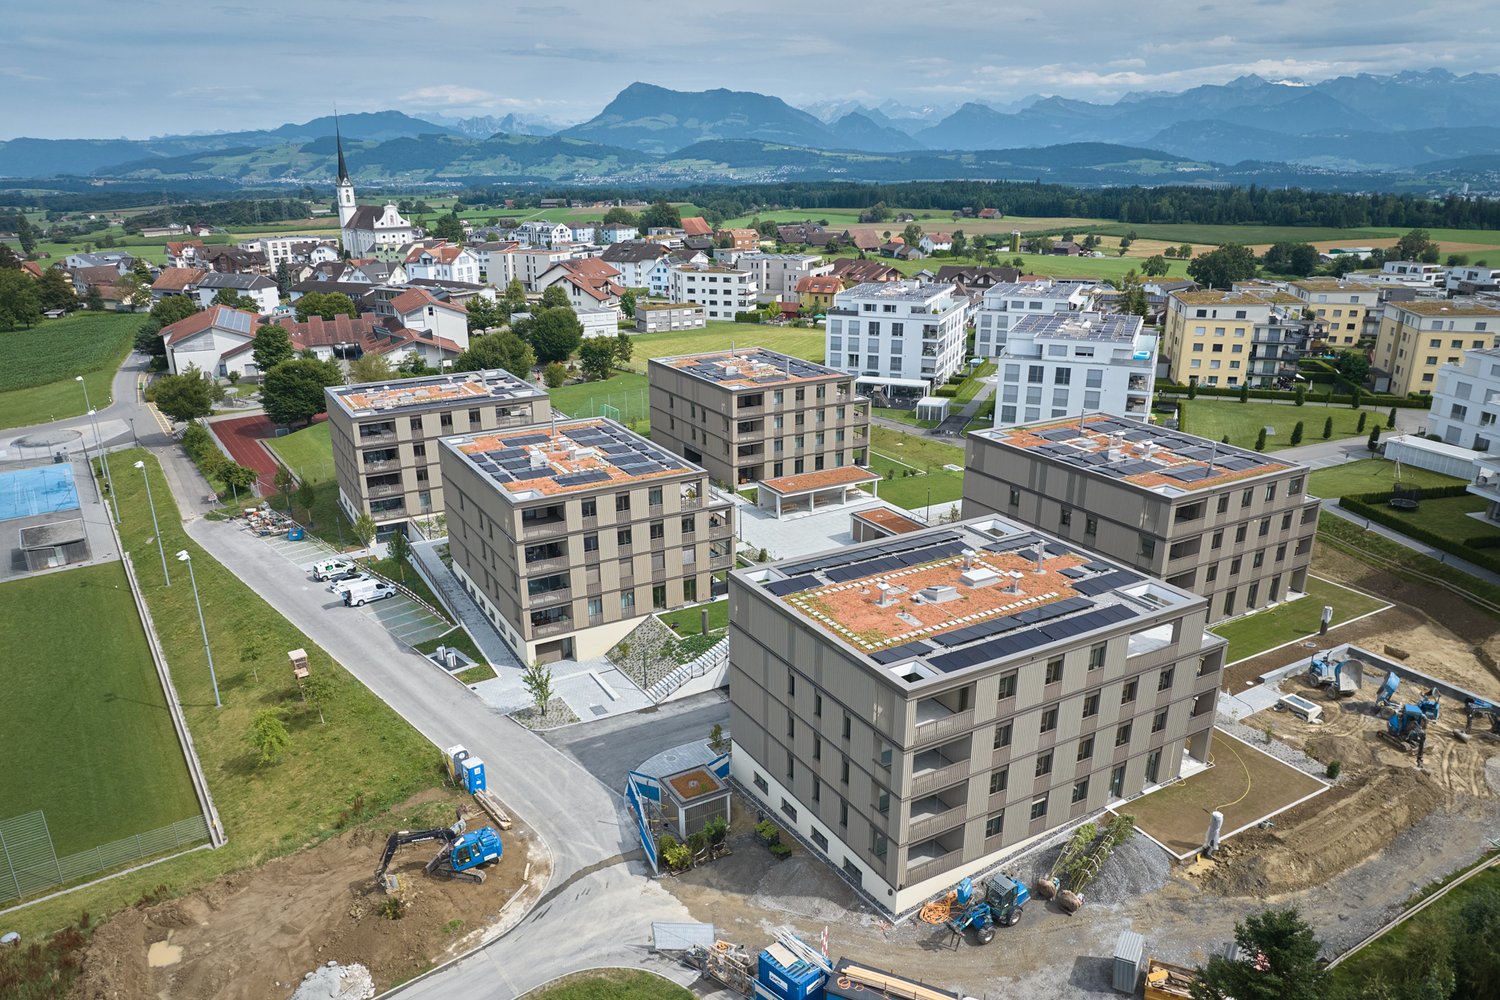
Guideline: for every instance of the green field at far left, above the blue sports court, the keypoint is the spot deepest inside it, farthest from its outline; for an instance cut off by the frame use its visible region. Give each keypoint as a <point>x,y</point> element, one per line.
<point>38,365</point>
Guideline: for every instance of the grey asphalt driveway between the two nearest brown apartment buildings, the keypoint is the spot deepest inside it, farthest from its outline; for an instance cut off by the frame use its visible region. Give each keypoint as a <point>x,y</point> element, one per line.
<point>613,746</point>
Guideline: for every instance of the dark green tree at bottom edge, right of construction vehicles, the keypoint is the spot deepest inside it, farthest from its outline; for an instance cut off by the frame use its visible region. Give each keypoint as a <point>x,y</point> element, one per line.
<point>1285,969</point>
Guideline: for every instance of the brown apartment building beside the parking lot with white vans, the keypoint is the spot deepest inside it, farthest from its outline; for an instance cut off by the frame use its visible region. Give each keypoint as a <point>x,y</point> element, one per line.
<point>569,534</point>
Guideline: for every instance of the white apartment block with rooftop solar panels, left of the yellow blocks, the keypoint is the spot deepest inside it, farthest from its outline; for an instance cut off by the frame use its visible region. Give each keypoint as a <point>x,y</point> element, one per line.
<point>1069,364</point>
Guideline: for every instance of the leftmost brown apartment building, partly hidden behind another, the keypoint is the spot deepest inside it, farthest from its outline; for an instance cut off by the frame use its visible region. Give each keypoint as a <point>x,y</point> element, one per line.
<point>385,436</point>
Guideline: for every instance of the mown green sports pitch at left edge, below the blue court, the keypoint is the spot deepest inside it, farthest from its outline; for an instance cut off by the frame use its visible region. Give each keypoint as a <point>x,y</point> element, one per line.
<point>85,714</point>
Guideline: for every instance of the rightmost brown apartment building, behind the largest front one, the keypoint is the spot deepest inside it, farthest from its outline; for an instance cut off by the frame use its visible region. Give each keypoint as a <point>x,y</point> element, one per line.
<point>1232,525</point>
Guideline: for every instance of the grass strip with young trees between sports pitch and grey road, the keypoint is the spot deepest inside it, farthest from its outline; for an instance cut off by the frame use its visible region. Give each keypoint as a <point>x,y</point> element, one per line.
<point>365,755</point>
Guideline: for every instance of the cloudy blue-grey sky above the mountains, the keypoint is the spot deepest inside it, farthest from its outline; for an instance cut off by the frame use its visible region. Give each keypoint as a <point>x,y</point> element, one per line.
<point>94,68</point>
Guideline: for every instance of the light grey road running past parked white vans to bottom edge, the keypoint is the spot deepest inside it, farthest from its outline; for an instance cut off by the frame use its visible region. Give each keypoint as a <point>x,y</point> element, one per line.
<point>599,906</point>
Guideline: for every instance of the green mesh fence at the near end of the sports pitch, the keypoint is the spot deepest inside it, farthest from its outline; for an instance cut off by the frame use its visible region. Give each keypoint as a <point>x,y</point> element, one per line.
<point>29,863</point>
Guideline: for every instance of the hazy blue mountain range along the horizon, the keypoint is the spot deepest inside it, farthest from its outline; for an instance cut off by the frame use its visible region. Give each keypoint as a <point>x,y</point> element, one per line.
<point>1405,131</point>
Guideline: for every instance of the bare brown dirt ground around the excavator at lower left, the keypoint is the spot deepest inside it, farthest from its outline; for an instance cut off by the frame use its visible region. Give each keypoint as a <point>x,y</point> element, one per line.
<point>259,933</point>
